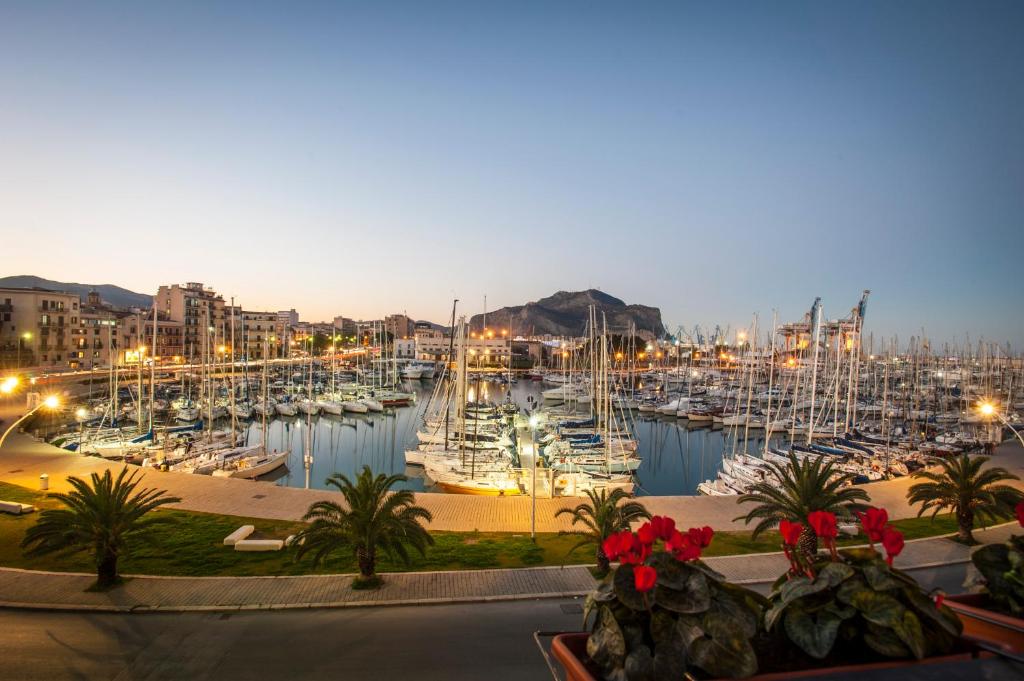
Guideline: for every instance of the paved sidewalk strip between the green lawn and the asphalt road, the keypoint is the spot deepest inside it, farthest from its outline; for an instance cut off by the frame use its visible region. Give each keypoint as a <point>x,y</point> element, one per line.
<point>27,589</point>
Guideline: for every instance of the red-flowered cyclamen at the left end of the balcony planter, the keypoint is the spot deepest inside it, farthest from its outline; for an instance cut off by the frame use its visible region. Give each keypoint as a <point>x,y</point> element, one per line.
<point>663,613</point>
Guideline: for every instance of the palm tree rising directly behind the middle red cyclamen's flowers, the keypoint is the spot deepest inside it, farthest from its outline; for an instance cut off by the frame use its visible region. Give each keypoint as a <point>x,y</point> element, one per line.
<point>796,489</point>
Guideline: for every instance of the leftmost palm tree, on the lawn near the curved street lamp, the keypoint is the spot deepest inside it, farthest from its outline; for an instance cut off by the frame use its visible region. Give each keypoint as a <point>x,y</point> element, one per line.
<point>105,518</point>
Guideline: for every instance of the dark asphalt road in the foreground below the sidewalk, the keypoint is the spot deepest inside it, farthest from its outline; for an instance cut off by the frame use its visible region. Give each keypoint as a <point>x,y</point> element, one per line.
<point>471,642</point>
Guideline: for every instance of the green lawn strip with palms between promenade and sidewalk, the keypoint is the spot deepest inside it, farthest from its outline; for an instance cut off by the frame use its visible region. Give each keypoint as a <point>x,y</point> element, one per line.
<point>191,544</point>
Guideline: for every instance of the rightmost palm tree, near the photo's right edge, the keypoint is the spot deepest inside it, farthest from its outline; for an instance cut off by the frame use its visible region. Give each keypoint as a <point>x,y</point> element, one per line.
<point>966,489</point>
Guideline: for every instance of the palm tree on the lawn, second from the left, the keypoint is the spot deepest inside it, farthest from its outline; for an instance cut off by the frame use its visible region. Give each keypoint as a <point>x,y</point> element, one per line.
<point>376,519</point>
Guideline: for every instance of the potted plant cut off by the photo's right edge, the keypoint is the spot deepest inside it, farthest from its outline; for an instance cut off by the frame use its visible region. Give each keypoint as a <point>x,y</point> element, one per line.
<point>996,617</point>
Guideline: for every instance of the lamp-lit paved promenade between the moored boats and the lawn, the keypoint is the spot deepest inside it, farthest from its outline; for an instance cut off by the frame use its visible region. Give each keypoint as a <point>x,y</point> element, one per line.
<point>24,459</point>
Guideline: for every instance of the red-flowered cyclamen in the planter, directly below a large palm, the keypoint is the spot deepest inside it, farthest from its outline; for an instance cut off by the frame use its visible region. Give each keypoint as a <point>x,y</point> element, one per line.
<point>851,609</point>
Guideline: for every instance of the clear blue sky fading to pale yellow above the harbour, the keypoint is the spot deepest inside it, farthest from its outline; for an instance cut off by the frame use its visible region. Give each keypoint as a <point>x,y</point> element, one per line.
<point>711,159</point>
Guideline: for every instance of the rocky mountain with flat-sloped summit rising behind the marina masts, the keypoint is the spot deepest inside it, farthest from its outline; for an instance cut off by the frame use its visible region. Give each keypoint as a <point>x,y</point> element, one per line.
<point>566,314</point>
